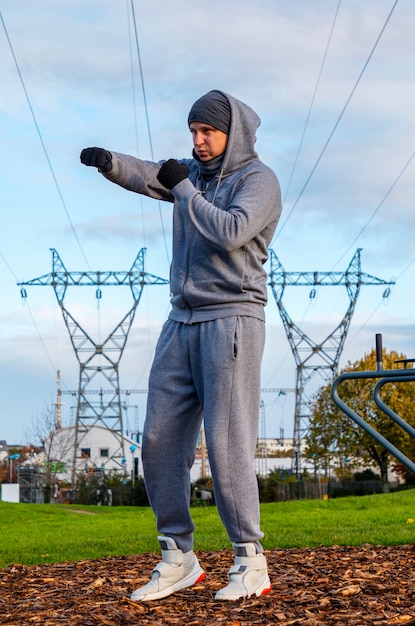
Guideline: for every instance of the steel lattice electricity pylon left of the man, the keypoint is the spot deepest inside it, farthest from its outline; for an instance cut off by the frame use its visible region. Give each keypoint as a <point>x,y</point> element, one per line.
<point>98,362</point>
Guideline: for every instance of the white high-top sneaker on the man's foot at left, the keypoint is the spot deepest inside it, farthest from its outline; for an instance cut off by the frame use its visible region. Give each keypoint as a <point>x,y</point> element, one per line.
<point>176,571</point>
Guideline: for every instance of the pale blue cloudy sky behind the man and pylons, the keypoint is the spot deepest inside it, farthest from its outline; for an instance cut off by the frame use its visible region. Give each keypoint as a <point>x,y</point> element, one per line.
<point>333,83</point>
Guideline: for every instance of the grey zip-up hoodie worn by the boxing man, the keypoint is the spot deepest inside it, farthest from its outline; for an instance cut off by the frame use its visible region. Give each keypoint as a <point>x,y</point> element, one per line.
<point>221,229</point>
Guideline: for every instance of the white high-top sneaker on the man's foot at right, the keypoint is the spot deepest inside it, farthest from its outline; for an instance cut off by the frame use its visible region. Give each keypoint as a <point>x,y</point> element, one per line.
<point>248,576</point>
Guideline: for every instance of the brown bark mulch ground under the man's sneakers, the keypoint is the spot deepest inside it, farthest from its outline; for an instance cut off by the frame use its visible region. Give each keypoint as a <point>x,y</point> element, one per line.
<point>332,586</point>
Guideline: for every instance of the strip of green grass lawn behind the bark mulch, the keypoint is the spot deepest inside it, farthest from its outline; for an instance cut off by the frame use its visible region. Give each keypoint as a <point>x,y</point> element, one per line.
<point>35,533</point>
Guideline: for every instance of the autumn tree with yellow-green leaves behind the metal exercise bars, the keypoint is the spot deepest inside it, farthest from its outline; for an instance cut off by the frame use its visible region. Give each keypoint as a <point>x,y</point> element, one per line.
<point>334,434</point>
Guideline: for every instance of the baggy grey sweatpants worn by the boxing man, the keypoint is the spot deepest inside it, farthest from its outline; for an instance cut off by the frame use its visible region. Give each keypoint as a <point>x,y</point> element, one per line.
<point>211,371</point>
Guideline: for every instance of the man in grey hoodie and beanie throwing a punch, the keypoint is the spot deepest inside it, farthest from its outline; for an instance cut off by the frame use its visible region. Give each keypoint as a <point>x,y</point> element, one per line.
<point>207,362</point>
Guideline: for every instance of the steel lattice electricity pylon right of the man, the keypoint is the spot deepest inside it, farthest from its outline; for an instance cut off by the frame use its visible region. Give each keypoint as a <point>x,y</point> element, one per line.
<point>310,357</point>
